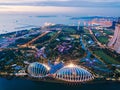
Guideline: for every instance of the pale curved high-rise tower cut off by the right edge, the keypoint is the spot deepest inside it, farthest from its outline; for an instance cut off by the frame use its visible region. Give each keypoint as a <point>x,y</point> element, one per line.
<point>115,41</point>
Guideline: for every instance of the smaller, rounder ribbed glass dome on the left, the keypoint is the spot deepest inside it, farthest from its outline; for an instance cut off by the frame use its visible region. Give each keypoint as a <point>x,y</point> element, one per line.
<point>37,70</point>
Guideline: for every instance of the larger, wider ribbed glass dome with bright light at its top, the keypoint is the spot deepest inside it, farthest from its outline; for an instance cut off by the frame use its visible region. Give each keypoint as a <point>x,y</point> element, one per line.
<point>73,74</point>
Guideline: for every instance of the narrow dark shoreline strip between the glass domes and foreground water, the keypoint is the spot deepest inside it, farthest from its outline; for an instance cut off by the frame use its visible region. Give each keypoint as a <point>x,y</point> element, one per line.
<point>52,80</point>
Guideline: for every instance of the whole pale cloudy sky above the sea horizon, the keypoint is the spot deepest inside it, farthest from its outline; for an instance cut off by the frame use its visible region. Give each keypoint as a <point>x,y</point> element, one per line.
<point>89,7</point>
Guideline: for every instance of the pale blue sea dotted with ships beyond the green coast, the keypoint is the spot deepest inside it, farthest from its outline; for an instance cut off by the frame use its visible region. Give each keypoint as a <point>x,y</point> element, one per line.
<point>16,22</point>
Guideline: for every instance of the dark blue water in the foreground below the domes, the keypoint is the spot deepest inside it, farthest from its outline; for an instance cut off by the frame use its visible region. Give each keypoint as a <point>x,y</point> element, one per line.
<point>21,84</point>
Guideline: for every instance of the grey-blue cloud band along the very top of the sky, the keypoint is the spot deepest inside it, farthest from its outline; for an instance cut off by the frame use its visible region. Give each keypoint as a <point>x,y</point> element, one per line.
<point>65,3</point>
